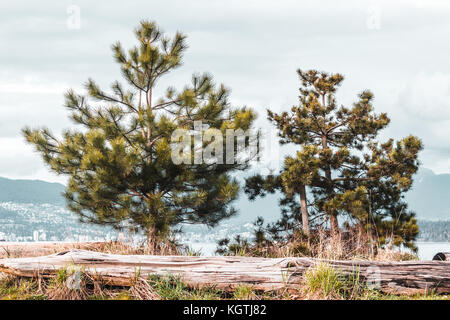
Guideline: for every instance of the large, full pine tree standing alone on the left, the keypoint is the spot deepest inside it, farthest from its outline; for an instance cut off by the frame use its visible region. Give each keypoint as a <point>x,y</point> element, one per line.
<point>119,164</point>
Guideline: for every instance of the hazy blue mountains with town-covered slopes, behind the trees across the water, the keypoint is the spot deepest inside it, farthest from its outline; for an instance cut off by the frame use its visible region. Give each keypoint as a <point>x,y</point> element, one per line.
<point>33,208</point>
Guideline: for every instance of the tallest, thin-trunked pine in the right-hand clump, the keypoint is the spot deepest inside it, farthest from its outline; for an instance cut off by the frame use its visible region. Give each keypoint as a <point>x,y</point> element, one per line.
<point>318,122</point>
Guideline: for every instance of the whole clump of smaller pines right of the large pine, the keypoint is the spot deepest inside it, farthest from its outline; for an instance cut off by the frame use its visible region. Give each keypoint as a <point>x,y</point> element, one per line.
<point>339,160</point>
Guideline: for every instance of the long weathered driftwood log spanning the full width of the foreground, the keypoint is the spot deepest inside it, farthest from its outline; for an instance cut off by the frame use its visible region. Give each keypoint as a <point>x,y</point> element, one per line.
<point>228,272</point>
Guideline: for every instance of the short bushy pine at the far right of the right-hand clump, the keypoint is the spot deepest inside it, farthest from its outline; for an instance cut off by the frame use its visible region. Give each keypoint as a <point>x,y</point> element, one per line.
<point>374,192</point>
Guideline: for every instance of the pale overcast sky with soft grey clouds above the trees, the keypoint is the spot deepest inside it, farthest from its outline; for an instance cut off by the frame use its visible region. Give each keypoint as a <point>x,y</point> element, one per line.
<point>398,49</point>
